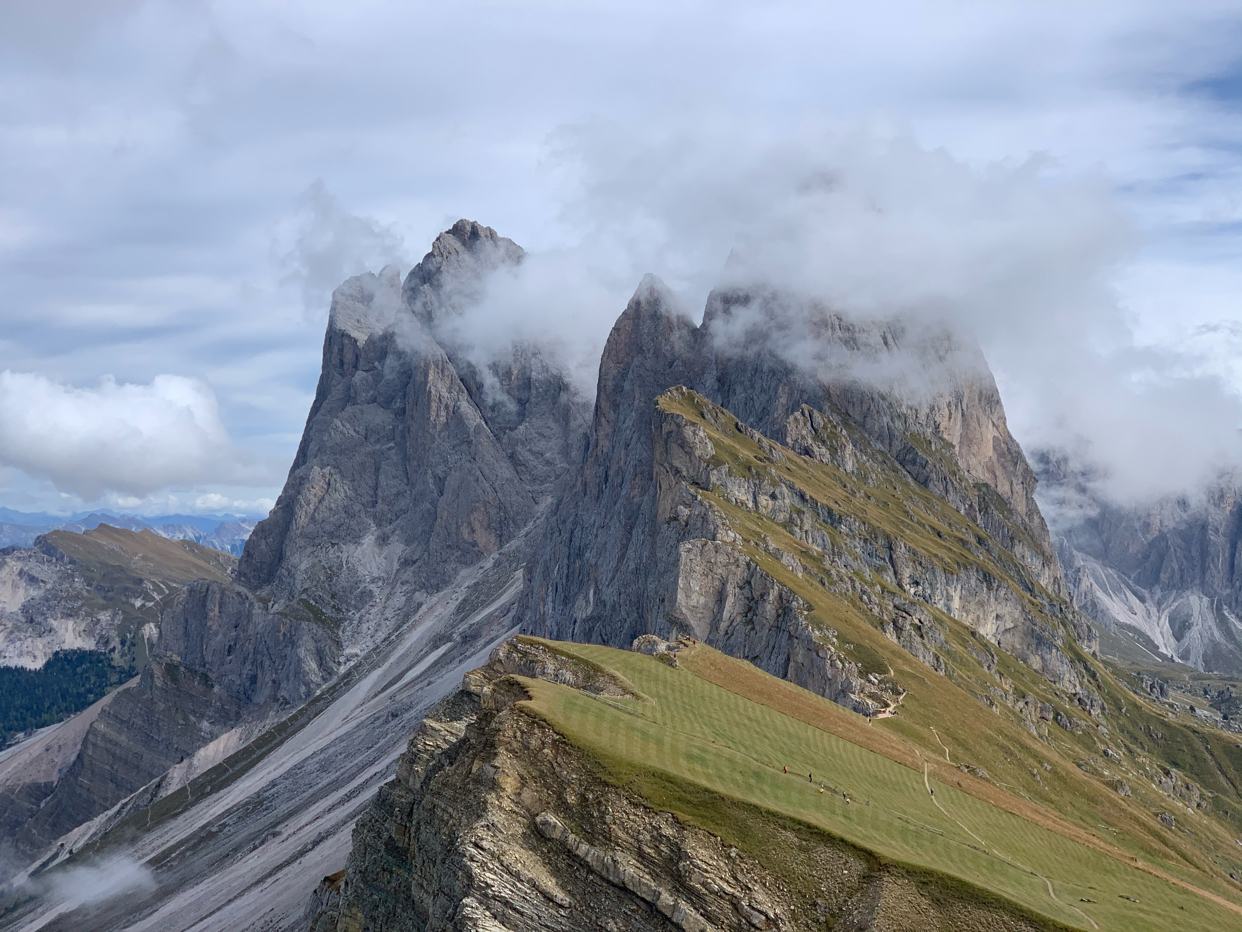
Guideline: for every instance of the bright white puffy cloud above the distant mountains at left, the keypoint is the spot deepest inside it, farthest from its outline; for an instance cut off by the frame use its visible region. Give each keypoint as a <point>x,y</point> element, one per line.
<point>122,438</point>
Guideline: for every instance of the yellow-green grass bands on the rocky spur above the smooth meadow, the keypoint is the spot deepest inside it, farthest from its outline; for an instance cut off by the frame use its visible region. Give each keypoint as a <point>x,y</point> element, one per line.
<point>1111,779</point>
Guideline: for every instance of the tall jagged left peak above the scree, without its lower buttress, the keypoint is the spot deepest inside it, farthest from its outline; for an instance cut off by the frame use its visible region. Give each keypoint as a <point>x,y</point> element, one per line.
<point>415,462</point>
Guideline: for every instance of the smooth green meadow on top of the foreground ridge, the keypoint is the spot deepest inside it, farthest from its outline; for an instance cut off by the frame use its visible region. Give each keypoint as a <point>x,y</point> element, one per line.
<point>700,734</point>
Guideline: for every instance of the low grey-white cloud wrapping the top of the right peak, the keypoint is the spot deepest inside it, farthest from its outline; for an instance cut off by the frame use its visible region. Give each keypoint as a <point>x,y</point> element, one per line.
<point>1019,255</point>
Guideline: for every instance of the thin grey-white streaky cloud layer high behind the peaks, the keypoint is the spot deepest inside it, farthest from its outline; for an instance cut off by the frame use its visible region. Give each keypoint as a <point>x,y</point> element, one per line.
<point>155,152</point>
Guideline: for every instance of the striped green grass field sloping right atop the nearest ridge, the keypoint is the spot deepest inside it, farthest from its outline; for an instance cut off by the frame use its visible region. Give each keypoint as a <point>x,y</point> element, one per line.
<point>711,741</point>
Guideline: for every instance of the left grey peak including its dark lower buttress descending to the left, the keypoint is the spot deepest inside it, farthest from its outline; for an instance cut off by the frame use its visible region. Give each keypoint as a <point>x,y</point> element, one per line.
<point>417,463</point>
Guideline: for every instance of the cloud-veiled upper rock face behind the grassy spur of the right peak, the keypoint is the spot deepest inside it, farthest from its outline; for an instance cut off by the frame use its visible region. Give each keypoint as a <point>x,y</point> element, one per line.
<point>927,398</point>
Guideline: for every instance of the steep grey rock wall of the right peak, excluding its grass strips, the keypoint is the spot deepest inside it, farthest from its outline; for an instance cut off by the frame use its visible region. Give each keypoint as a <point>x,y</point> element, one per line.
<point>633,547</point>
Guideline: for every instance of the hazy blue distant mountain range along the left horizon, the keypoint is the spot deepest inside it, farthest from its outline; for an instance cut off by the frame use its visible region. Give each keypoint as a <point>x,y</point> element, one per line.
<point>222,532</point>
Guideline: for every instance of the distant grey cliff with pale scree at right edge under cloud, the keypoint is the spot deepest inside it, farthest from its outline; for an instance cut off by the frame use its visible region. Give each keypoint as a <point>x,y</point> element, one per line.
<point>1166,573</point>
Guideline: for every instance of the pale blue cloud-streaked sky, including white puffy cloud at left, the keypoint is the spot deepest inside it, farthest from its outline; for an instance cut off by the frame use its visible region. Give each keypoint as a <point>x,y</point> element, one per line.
<point>182,185</point>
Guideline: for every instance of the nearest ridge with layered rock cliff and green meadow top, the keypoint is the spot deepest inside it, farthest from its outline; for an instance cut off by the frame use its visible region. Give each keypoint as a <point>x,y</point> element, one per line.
<point>573,787</point>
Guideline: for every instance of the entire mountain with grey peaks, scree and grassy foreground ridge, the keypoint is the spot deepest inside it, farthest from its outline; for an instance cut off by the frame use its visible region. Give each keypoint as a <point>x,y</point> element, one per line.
<point>502,658</point>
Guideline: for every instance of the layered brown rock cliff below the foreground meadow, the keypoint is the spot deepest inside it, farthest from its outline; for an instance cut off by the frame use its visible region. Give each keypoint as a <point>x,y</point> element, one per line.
<point>497,823</point>
